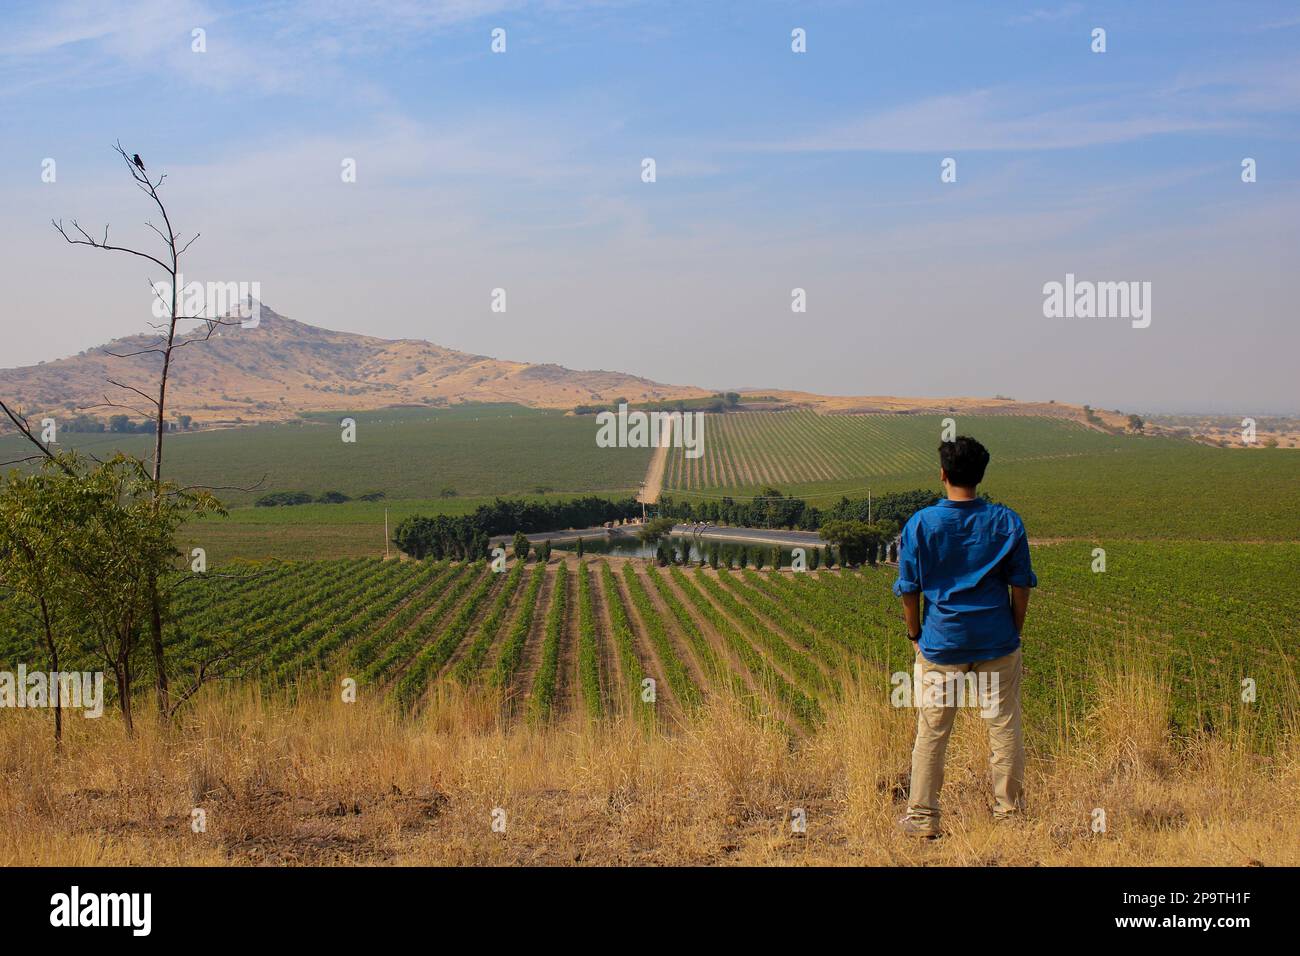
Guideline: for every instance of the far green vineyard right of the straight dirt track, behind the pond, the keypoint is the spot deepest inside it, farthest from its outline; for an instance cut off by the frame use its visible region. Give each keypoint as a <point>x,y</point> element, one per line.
<point>1064,479</point>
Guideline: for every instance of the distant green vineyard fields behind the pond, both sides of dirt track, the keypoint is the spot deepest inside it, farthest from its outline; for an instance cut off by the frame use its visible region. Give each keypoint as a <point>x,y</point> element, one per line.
<point>1068,482</point>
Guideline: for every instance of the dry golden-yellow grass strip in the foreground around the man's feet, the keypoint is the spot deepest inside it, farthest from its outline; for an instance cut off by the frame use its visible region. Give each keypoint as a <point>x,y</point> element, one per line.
<point>318,781</point>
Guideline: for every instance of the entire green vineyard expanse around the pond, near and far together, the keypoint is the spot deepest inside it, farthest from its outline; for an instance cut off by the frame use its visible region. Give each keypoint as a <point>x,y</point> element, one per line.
<point>1202,553</point>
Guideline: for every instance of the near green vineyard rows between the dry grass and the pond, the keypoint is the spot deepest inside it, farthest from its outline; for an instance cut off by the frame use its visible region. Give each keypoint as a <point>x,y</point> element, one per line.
<point>582,637</point>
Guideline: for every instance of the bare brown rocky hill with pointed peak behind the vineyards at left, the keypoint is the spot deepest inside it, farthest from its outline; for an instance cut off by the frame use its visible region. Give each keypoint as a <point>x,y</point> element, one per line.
<point>284,367</point>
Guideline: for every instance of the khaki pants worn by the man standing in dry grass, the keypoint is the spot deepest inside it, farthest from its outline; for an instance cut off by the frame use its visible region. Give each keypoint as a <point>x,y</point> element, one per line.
<point>1002,678</point>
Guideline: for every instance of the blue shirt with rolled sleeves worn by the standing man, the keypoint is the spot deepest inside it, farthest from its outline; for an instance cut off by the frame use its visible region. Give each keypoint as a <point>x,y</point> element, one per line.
<point>963,556</point>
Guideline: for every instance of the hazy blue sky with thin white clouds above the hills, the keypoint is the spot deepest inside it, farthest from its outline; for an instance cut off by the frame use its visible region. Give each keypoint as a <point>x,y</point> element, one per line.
<point>775,171</point>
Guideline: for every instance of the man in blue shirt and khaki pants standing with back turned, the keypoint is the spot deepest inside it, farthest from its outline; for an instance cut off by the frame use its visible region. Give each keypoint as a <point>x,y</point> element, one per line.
<point>972,561</point>
